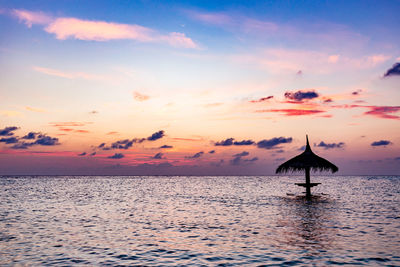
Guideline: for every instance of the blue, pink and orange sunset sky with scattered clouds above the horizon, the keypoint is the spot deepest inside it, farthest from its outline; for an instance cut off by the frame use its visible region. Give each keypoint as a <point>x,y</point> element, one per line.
<point>198,87</point>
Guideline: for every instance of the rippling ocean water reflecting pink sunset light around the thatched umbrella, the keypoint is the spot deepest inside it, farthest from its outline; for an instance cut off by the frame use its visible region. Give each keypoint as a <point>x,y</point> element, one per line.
<point>207,221</point>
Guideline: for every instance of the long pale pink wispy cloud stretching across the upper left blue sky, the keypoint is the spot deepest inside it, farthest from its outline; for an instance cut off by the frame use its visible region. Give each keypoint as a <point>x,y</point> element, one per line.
<point>88,30</point>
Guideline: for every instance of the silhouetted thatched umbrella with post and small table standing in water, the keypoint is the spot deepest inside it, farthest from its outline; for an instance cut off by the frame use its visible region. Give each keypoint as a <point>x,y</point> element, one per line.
<point>307,161</point>
